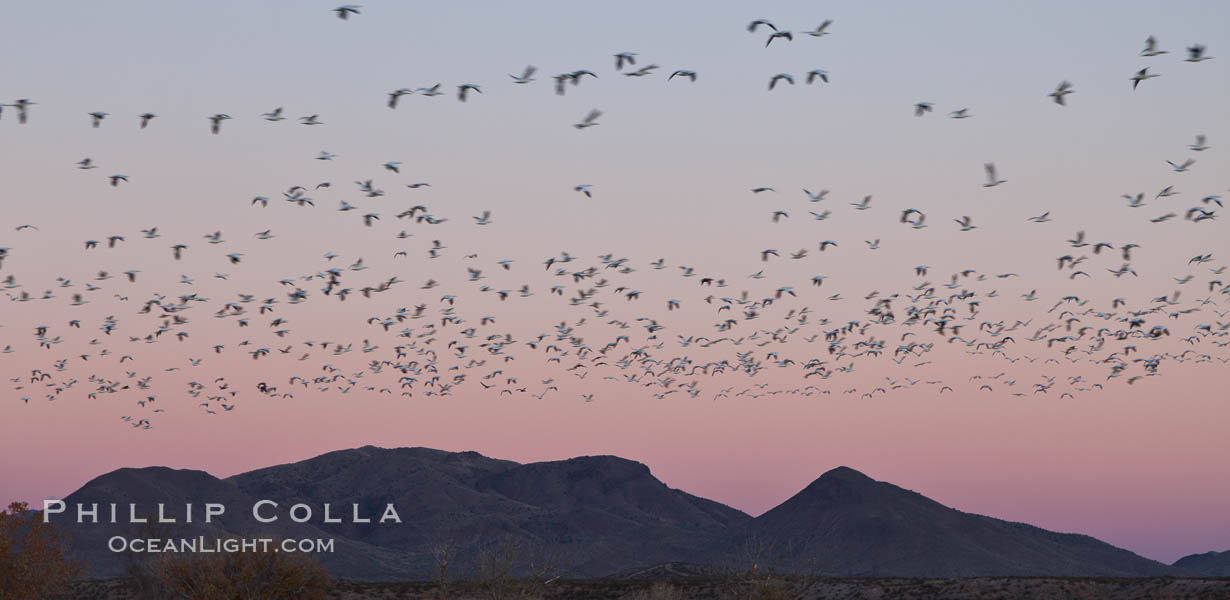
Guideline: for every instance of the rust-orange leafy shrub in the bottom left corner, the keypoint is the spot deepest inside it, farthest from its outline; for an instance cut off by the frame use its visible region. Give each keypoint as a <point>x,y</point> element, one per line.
<point>34,560</point>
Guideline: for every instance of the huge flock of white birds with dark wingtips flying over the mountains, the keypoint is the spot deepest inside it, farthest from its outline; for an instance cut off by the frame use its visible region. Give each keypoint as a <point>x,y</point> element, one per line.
<point>762,339</point>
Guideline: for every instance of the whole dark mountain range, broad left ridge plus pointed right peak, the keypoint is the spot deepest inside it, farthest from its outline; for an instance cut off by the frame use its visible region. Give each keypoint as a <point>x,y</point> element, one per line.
<point>595,516</point>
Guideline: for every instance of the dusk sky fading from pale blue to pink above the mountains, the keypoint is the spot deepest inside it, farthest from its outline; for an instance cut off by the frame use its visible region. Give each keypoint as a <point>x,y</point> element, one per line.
<point>672,165</point>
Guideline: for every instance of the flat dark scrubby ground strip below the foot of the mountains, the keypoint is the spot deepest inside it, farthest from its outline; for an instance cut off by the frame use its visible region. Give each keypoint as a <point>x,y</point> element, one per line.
<point>767,590</point>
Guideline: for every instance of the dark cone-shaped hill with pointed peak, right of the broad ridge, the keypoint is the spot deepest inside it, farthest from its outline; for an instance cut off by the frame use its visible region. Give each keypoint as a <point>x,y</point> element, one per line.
<point>852,524</point>
